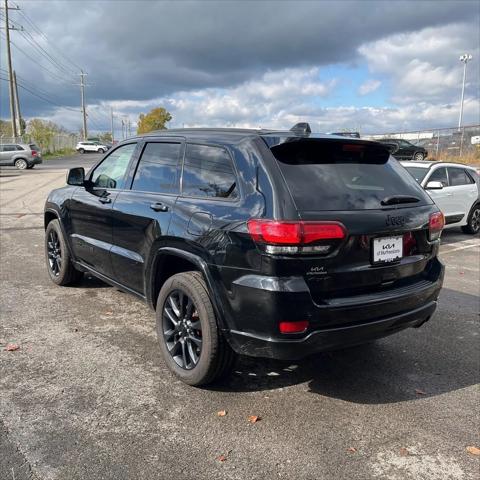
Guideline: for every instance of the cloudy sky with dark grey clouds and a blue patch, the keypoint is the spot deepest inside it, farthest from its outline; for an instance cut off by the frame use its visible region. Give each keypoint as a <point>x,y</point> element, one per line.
<point>370,66</point>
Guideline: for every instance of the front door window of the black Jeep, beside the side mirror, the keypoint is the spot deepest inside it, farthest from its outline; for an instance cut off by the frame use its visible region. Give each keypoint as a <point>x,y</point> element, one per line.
<point>111,172</point>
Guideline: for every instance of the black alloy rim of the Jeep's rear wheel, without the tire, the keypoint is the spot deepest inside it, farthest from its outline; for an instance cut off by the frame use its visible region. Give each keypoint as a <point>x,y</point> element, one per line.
<point>182,329</point>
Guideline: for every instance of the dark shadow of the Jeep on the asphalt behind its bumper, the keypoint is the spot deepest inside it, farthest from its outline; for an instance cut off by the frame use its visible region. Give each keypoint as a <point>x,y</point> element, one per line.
<point>440,357</point>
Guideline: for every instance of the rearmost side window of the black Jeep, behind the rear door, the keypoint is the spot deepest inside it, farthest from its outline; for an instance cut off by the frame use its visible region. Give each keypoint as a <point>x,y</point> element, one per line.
<point>208,172</point>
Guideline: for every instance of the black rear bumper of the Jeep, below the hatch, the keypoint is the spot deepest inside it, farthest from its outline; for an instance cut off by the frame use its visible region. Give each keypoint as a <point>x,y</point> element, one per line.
<point>262,302</point>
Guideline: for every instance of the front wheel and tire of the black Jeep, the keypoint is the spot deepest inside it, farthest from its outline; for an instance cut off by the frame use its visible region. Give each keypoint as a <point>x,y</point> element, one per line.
<point>57,257</point>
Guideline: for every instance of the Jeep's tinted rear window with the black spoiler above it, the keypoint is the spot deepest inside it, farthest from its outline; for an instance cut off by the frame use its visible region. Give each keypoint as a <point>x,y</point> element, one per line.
<point>336,175</point>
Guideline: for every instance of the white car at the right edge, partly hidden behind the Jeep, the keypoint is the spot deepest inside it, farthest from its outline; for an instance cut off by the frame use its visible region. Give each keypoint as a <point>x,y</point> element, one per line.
<point>455,188</point>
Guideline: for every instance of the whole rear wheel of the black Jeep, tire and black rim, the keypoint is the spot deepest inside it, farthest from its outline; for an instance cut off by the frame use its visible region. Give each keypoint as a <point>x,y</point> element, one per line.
<point>180,344</point>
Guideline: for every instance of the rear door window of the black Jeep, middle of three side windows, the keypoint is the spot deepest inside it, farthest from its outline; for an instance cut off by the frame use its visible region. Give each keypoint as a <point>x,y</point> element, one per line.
<point>157,169</point>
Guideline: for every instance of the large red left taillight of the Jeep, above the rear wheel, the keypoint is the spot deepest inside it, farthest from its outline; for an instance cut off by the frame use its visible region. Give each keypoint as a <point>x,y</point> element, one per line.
<point>296,237</point>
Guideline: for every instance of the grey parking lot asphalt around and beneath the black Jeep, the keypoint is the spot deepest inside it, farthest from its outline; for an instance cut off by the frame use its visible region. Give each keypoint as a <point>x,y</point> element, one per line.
<point>87,395</point>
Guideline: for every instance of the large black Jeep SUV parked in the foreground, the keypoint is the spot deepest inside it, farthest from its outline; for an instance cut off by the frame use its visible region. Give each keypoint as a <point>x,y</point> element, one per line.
<point>265,243</point>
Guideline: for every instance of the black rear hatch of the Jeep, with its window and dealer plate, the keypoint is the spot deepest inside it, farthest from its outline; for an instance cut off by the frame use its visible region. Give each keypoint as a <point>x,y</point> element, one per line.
<point>385,213</point>
